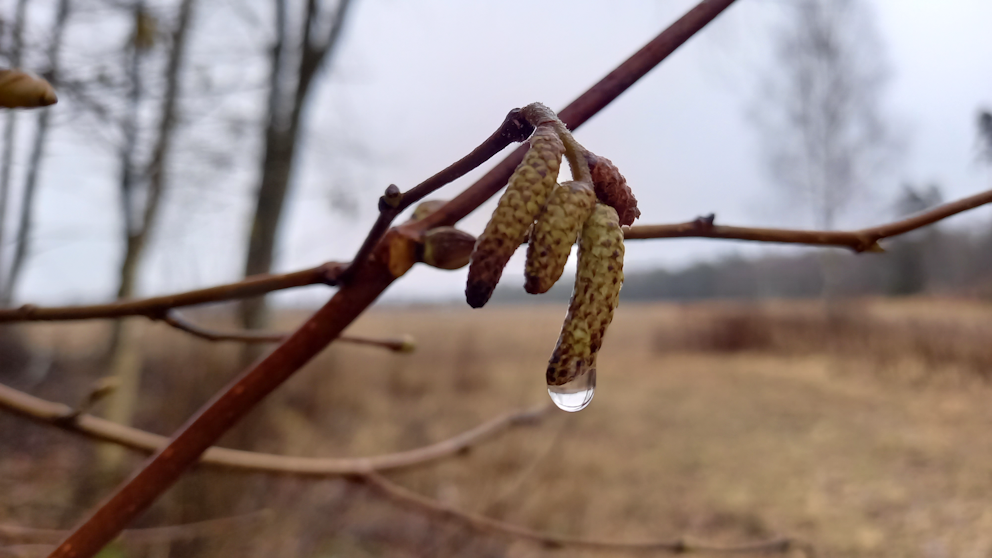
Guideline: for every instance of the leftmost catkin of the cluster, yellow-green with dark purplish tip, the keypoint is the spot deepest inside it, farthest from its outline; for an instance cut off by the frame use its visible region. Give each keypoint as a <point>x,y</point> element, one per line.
<point>523,200</point>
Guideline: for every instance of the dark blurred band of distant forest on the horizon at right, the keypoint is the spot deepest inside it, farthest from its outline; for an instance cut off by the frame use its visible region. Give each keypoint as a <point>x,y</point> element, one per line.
<point>928,261</point>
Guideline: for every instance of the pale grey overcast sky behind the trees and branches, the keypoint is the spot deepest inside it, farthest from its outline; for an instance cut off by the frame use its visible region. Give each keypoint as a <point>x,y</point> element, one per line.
<point>418,84</point>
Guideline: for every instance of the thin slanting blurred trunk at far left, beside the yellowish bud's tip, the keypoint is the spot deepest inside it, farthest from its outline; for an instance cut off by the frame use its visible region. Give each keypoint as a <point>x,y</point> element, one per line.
<point>34,166</point>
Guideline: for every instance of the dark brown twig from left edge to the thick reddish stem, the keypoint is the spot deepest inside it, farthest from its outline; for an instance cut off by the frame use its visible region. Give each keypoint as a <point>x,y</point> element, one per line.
<point>326,274</point>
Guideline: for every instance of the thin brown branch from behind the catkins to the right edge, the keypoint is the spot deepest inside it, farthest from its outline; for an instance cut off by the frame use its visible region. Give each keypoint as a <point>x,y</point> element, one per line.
<point>864,240</point>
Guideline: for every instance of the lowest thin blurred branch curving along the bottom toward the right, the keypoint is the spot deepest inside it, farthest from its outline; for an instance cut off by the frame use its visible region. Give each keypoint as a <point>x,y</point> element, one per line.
<point>485,524</point>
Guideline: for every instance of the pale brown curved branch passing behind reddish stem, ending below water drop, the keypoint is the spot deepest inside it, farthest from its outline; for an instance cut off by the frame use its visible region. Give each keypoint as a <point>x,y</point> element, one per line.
<point>56,414</point>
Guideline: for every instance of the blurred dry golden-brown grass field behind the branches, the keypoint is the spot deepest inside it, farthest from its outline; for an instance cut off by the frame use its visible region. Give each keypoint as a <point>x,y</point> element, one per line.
<point>864,430</point>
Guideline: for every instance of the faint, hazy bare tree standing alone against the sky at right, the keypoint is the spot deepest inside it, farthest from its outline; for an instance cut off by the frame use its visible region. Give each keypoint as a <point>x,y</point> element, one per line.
<point>819,110</point>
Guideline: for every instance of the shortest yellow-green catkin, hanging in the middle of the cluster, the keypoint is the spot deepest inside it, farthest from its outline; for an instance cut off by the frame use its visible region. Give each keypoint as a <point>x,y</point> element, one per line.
<point>555,232</point>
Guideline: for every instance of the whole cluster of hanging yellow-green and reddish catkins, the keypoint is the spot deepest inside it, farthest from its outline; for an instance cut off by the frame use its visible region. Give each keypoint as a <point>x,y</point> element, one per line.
<point>554,216</point>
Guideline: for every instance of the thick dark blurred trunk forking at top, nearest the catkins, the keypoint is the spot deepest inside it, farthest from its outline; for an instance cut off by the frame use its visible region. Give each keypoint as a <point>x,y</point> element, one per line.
<point>281,138</point>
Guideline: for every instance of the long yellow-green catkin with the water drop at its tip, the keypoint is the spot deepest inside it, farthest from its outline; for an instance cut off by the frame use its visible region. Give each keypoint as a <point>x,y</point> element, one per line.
<point>596,294</point>
